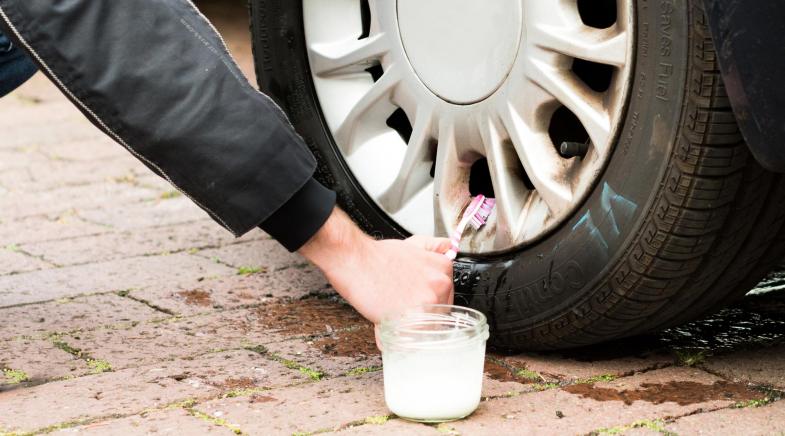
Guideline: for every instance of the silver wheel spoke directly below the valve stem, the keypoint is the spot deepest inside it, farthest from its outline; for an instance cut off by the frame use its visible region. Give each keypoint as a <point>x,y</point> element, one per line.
<point>545,168</point>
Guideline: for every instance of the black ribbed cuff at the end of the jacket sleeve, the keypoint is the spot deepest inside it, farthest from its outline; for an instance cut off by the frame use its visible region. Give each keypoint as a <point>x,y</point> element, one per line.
<point>294,223</point>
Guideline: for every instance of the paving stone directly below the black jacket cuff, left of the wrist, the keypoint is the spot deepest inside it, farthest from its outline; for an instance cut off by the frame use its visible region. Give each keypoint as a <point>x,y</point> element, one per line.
<point>267,254</point>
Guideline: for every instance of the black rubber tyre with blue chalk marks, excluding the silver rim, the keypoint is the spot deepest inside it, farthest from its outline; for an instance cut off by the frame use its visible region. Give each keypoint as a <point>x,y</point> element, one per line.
<point>681,222</point>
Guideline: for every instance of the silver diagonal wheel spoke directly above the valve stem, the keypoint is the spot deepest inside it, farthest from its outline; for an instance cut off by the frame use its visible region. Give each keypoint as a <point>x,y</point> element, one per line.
<point>585,103</point>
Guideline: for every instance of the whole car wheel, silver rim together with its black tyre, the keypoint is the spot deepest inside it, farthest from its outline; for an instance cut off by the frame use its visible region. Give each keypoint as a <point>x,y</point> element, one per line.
<point>626,198</point>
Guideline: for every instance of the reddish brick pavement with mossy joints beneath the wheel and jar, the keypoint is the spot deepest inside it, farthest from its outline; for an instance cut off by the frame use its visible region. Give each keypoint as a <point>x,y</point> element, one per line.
<point>125,310</point>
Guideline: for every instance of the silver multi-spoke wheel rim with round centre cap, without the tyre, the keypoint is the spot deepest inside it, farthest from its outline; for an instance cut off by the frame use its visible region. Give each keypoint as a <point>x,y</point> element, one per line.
<point>432,102</point>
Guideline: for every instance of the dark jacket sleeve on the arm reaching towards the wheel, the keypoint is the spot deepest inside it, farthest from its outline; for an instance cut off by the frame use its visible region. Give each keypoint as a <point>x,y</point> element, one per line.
<point>156,77</point>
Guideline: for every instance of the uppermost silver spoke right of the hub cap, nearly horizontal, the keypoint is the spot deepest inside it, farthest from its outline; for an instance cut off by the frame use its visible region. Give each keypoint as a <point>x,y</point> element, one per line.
<point>604,46</point>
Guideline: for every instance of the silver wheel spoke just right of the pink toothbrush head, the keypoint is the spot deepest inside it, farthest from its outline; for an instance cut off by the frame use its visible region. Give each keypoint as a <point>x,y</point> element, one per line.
<point>509,189</point>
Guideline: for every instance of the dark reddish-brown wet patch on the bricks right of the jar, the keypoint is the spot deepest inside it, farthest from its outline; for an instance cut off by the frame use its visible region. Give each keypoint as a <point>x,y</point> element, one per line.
<point>681,392</point>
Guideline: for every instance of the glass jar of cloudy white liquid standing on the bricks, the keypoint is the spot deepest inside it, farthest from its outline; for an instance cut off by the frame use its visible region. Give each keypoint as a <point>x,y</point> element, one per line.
<point>433,362</point>
